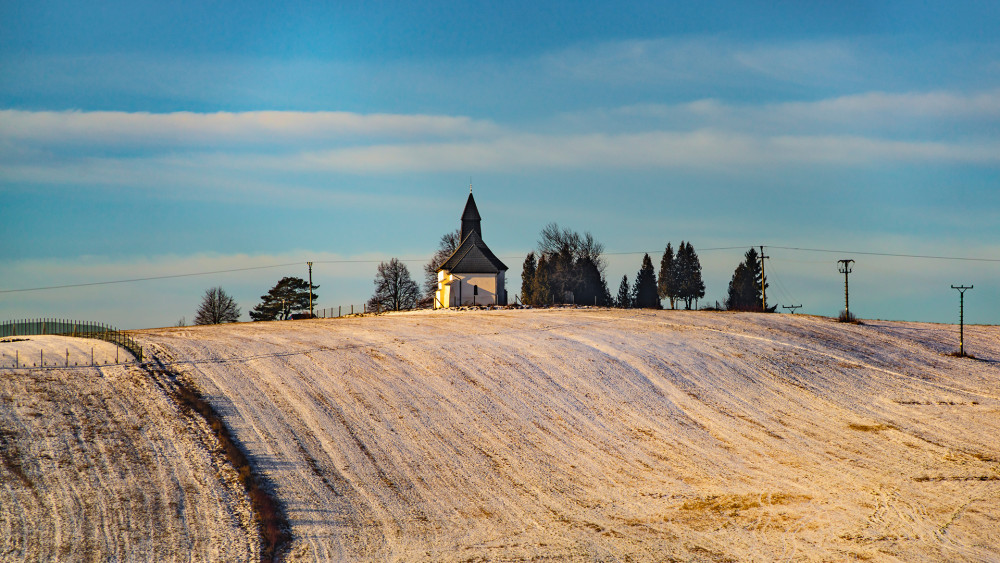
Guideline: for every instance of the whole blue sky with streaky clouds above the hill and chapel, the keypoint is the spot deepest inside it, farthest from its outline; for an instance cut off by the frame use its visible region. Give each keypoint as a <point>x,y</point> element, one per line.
<point>141,140</point>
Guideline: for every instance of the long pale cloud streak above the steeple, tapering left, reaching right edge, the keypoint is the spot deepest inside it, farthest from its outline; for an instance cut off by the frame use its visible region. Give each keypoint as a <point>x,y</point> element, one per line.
<point>703,149</point>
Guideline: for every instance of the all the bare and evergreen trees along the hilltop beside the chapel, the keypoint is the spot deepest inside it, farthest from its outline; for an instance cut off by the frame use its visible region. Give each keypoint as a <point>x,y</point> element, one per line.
<point>565,268</point>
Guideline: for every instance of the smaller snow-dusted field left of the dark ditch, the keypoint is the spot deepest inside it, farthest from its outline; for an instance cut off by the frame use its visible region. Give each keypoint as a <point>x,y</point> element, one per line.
<point>97,464</point>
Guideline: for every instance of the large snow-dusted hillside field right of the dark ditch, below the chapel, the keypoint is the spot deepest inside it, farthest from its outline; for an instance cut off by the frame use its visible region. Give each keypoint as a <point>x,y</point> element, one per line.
<point>596,435</point>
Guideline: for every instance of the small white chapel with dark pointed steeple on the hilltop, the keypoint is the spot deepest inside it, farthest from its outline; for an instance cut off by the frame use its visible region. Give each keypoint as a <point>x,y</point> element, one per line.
<point>472,275</point>
